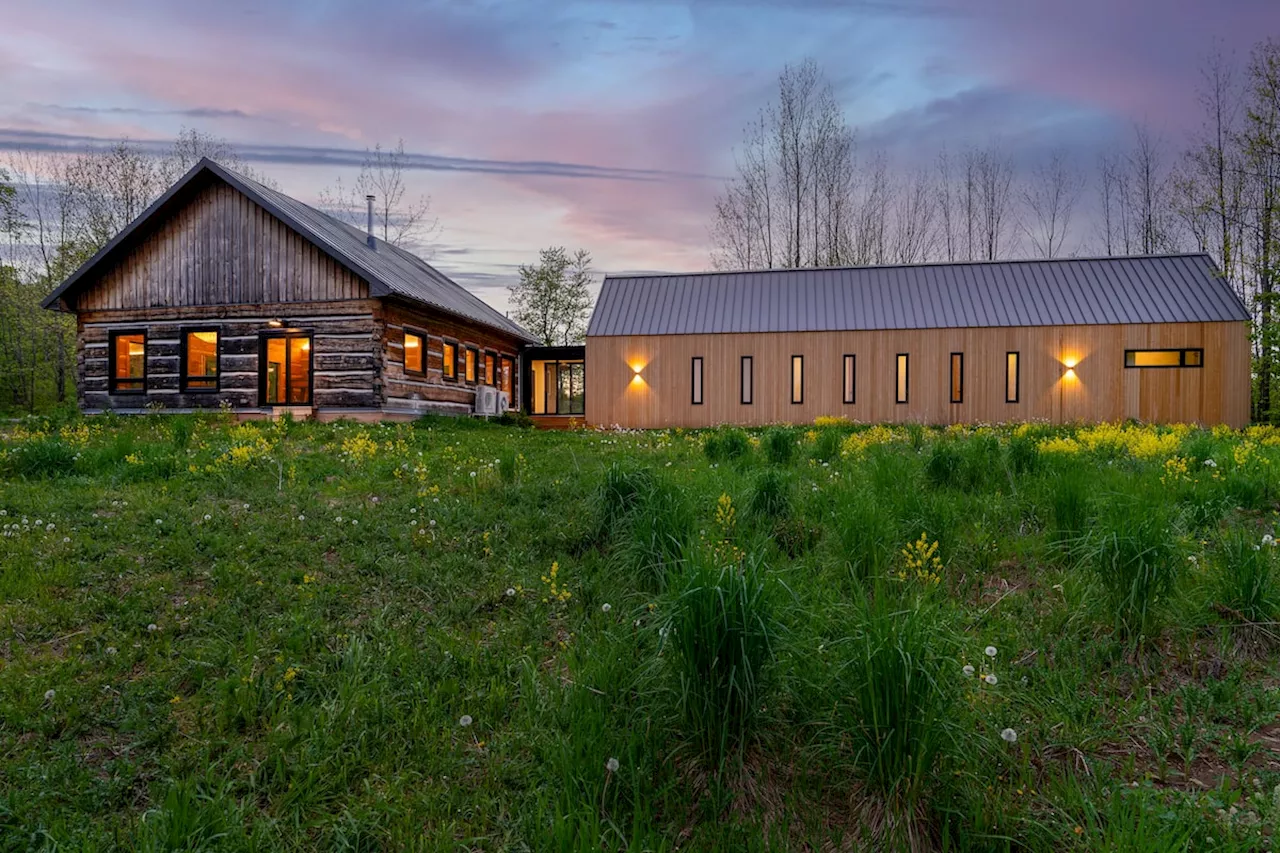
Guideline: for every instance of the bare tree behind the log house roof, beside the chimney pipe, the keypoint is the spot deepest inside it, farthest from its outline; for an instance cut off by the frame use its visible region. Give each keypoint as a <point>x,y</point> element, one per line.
<point>403,220</point>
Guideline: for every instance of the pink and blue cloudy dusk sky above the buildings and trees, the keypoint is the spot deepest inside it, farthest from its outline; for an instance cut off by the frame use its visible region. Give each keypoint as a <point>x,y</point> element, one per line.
<point>601,125</point>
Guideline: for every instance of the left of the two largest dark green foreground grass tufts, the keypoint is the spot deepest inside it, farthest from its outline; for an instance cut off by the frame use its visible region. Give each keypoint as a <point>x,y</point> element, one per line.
<point>721,637</point>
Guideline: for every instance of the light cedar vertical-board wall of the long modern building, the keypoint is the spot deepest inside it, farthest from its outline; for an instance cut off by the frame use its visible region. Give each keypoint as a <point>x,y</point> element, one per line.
<point>1101,390</point>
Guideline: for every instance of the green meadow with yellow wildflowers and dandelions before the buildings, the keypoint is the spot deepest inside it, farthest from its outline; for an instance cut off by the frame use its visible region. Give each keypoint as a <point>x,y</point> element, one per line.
<point>467,637</point>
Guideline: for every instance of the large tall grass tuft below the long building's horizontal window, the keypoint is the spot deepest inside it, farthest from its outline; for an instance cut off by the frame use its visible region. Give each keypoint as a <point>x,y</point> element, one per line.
<point>1135,558</point>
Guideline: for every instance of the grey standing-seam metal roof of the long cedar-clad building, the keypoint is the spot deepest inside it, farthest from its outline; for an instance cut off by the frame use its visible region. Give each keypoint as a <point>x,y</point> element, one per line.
<point>1163,289</point>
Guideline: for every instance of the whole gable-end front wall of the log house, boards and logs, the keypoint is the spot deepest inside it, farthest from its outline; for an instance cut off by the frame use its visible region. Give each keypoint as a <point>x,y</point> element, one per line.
<point>223,261</point>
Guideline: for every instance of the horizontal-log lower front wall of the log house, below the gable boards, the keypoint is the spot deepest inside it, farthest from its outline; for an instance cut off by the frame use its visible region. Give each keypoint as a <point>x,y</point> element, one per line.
<point>346,345</point>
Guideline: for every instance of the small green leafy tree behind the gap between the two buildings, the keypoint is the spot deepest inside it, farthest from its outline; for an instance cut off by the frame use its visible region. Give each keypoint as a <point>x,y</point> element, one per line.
<point>554,298</point>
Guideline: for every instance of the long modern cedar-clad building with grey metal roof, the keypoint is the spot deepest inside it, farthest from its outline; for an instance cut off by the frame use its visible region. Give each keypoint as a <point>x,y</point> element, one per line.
<point>1156,339</point>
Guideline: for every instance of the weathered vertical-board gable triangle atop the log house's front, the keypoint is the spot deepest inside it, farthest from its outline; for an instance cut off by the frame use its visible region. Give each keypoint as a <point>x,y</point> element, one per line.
<point>221,249</point>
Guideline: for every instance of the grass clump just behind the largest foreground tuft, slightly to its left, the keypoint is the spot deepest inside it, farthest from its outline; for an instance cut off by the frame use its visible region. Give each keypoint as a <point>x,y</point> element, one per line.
<point>660,528</point>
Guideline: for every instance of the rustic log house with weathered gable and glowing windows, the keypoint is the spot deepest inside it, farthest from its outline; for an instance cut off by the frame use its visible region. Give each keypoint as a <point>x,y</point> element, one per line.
<point>226,293</point>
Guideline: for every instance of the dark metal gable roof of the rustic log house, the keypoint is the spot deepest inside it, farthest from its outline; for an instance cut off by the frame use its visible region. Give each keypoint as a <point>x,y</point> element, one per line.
<point>388,270</point>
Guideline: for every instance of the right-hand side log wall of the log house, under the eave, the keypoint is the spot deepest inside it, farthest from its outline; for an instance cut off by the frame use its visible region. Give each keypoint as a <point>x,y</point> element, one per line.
<point>413,393</point>
